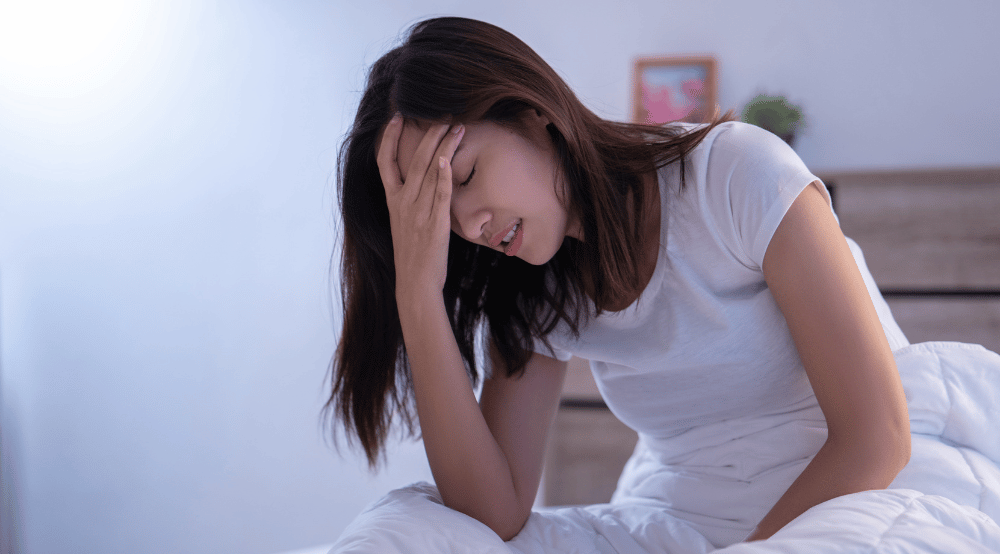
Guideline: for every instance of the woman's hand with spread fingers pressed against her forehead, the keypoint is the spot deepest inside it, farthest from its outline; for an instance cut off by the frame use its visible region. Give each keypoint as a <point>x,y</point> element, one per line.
<point>419,206</point>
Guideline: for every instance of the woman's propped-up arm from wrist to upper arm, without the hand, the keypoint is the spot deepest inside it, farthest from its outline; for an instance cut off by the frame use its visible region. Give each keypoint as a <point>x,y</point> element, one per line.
<point>486,463</point>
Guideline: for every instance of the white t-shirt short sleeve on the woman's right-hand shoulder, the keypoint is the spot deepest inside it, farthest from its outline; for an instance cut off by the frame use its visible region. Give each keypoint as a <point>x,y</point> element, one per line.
<point>755,177</point>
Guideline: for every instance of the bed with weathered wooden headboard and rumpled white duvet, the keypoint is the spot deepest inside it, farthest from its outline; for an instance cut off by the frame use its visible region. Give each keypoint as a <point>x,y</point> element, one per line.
<point>944,285</point>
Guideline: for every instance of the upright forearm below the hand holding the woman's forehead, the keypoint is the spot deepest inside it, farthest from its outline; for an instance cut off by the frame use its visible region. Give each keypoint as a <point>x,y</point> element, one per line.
<point>469,468</point>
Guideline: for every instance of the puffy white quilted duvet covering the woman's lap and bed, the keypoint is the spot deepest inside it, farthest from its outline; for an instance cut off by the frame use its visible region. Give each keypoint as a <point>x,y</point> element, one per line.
<point>946,500</point>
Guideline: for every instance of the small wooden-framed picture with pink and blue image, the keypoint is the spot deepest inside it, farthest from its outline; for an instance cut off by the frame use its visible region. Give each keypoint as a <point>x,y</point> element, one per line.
<point>669,89</point>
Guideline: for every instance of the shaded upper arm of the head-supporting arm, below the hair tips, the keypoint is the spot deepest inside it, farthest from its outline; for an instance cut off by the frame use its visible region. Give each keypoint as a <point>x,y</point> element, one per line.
<point>519,413</point>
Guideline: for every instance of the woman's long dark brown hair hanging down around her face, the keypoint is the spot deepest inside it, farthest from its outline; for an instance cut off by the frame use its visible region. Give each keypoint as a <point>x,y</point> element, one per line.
<point>474,71</point>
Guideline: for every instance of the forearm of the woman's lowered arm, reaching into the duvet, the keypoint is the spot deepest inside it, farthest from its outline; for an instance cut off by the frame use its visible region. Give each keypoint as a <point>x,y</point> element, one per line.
<point>836,470</point>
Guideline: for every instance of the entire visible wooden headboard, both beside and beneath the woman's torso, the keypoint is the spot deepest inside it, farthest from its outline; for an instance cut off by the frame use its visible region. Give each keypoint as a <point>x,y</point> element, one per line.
<point>931,239</point>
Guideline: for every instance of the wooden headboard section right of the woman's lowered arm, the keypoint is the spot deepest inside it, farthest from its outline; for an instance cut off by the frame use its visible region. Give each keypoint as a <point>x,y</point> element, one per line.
<point>931,239</point>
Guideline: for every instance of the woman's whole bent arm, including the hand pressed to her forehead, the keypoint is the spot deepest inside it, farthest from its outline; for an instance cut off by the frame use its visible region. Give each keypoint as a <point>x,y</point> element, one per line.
<point>493,479</point>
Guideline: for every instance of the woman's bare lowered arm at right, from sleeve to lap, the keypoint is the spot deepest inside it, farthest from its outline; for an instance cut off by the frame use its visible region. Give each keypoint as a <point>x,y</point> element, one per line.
<point>817,285</point>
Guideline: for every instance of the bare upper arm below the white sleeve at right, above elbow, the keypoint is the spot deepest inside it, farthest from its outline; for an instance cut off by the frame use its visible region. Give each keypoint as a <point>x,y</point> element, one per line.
<point>816,283</point>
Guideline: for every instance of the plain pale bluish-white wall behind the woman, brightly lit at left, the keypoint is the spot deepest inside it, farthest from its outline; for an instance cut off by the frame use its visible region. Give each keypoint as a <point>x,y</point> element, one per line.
<point>166,227</point>
